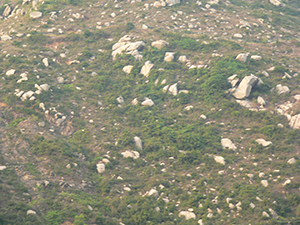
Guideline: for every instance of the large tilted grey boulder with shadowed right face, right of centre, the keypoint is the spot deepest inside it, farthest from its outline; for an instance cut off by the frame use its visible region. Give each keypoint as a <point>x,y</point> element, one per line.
<point>245,87</point>
